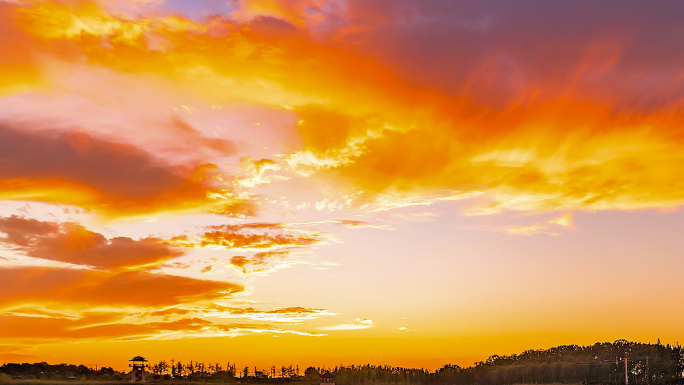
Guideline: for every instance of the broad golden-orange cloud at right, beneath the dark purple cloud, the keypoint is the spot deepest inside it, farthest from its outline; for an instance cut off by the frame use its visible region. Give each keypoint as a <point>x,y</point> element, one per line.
<point>552,157</point>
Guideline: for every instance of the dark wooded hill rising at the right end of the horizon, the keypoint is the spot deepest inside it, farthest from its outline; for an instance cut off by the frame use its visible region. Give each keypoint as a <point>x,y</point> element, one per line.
<point>601,363</point>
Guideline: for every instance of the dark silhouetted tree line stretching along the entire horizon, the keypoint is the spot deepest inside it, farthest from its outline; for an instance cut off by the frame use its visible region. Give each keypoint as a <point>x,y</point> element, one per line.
<point>602,363</point>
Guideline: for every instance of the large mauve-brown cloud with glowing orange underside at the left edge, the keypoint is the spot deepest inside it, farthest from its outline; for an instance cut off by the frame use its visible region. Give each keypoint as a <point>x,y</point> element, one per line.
<point>117,180</point>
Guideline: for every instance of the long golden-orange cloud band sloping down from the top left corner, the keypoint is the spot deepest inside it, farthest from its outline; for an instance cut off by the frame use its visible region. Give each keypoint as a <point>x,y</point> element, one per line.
<point>222,64</point>
